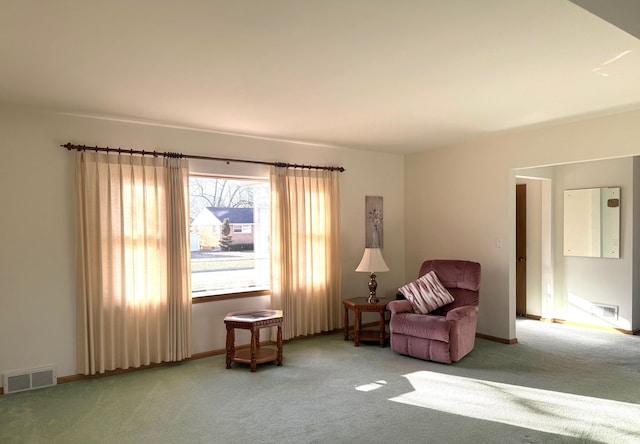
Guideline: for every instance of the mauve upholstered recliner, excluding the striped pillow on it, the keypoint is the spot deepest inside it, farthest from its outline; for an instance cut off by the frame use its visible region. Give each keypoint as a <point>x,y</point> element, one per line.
<point>448,333</point>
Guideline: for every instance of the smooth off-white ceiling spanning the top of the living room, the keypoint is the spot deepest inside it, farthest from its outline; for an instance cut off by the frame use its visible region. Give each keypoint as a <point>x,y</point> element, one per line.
<point>397,76</point>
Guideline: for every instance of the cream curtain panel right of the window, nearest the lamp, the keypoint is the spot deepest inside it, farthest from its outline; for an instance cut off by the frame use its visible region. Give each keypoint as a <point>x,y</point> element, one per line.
<point>305,250</point>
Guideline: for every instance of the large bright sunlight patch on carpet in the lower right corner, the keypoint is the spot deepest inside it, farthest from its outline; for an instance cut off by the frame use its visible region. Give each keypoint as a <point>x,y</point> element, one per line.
<point>543,410</point>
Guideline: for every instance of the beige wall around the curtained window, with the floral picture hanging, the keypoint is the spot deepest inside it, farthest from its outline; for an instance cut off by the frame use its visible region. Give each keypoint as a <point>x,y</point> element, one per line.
<point>37,278</point>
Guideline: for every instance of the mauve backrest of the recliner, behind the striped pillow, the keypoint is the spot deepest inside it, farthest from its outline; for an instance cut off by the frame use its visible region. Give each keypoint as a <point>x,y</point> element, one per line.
<point>461,278</point>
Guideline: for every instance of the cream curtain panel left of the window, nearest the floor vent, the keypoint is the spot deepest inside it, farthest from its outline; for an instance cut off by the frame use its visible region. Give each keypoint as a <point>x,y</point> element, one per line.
<point>133,269</point>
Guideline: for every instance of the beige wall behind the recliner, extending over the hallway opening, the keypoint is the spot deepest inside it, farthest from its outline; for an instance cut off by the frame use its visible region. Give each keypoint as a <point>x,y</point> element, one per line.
<point>460,200</point>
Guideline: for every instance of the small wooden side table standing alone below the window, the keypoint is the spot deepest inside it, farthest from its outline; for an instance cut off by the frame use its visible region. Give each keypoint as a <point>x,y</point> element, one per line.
<point>253,320</point>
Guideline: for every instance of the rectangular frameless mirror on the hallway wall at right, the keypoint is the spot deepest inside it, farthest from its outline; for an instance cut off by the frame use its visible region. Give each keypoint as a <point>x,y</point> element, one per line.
<point>592,222</point>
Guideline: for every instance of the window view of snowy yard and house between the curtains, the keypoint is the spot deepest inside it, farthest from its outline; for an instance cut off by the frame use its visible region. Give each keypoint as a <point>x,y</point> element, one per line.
<point>229,235</point>
